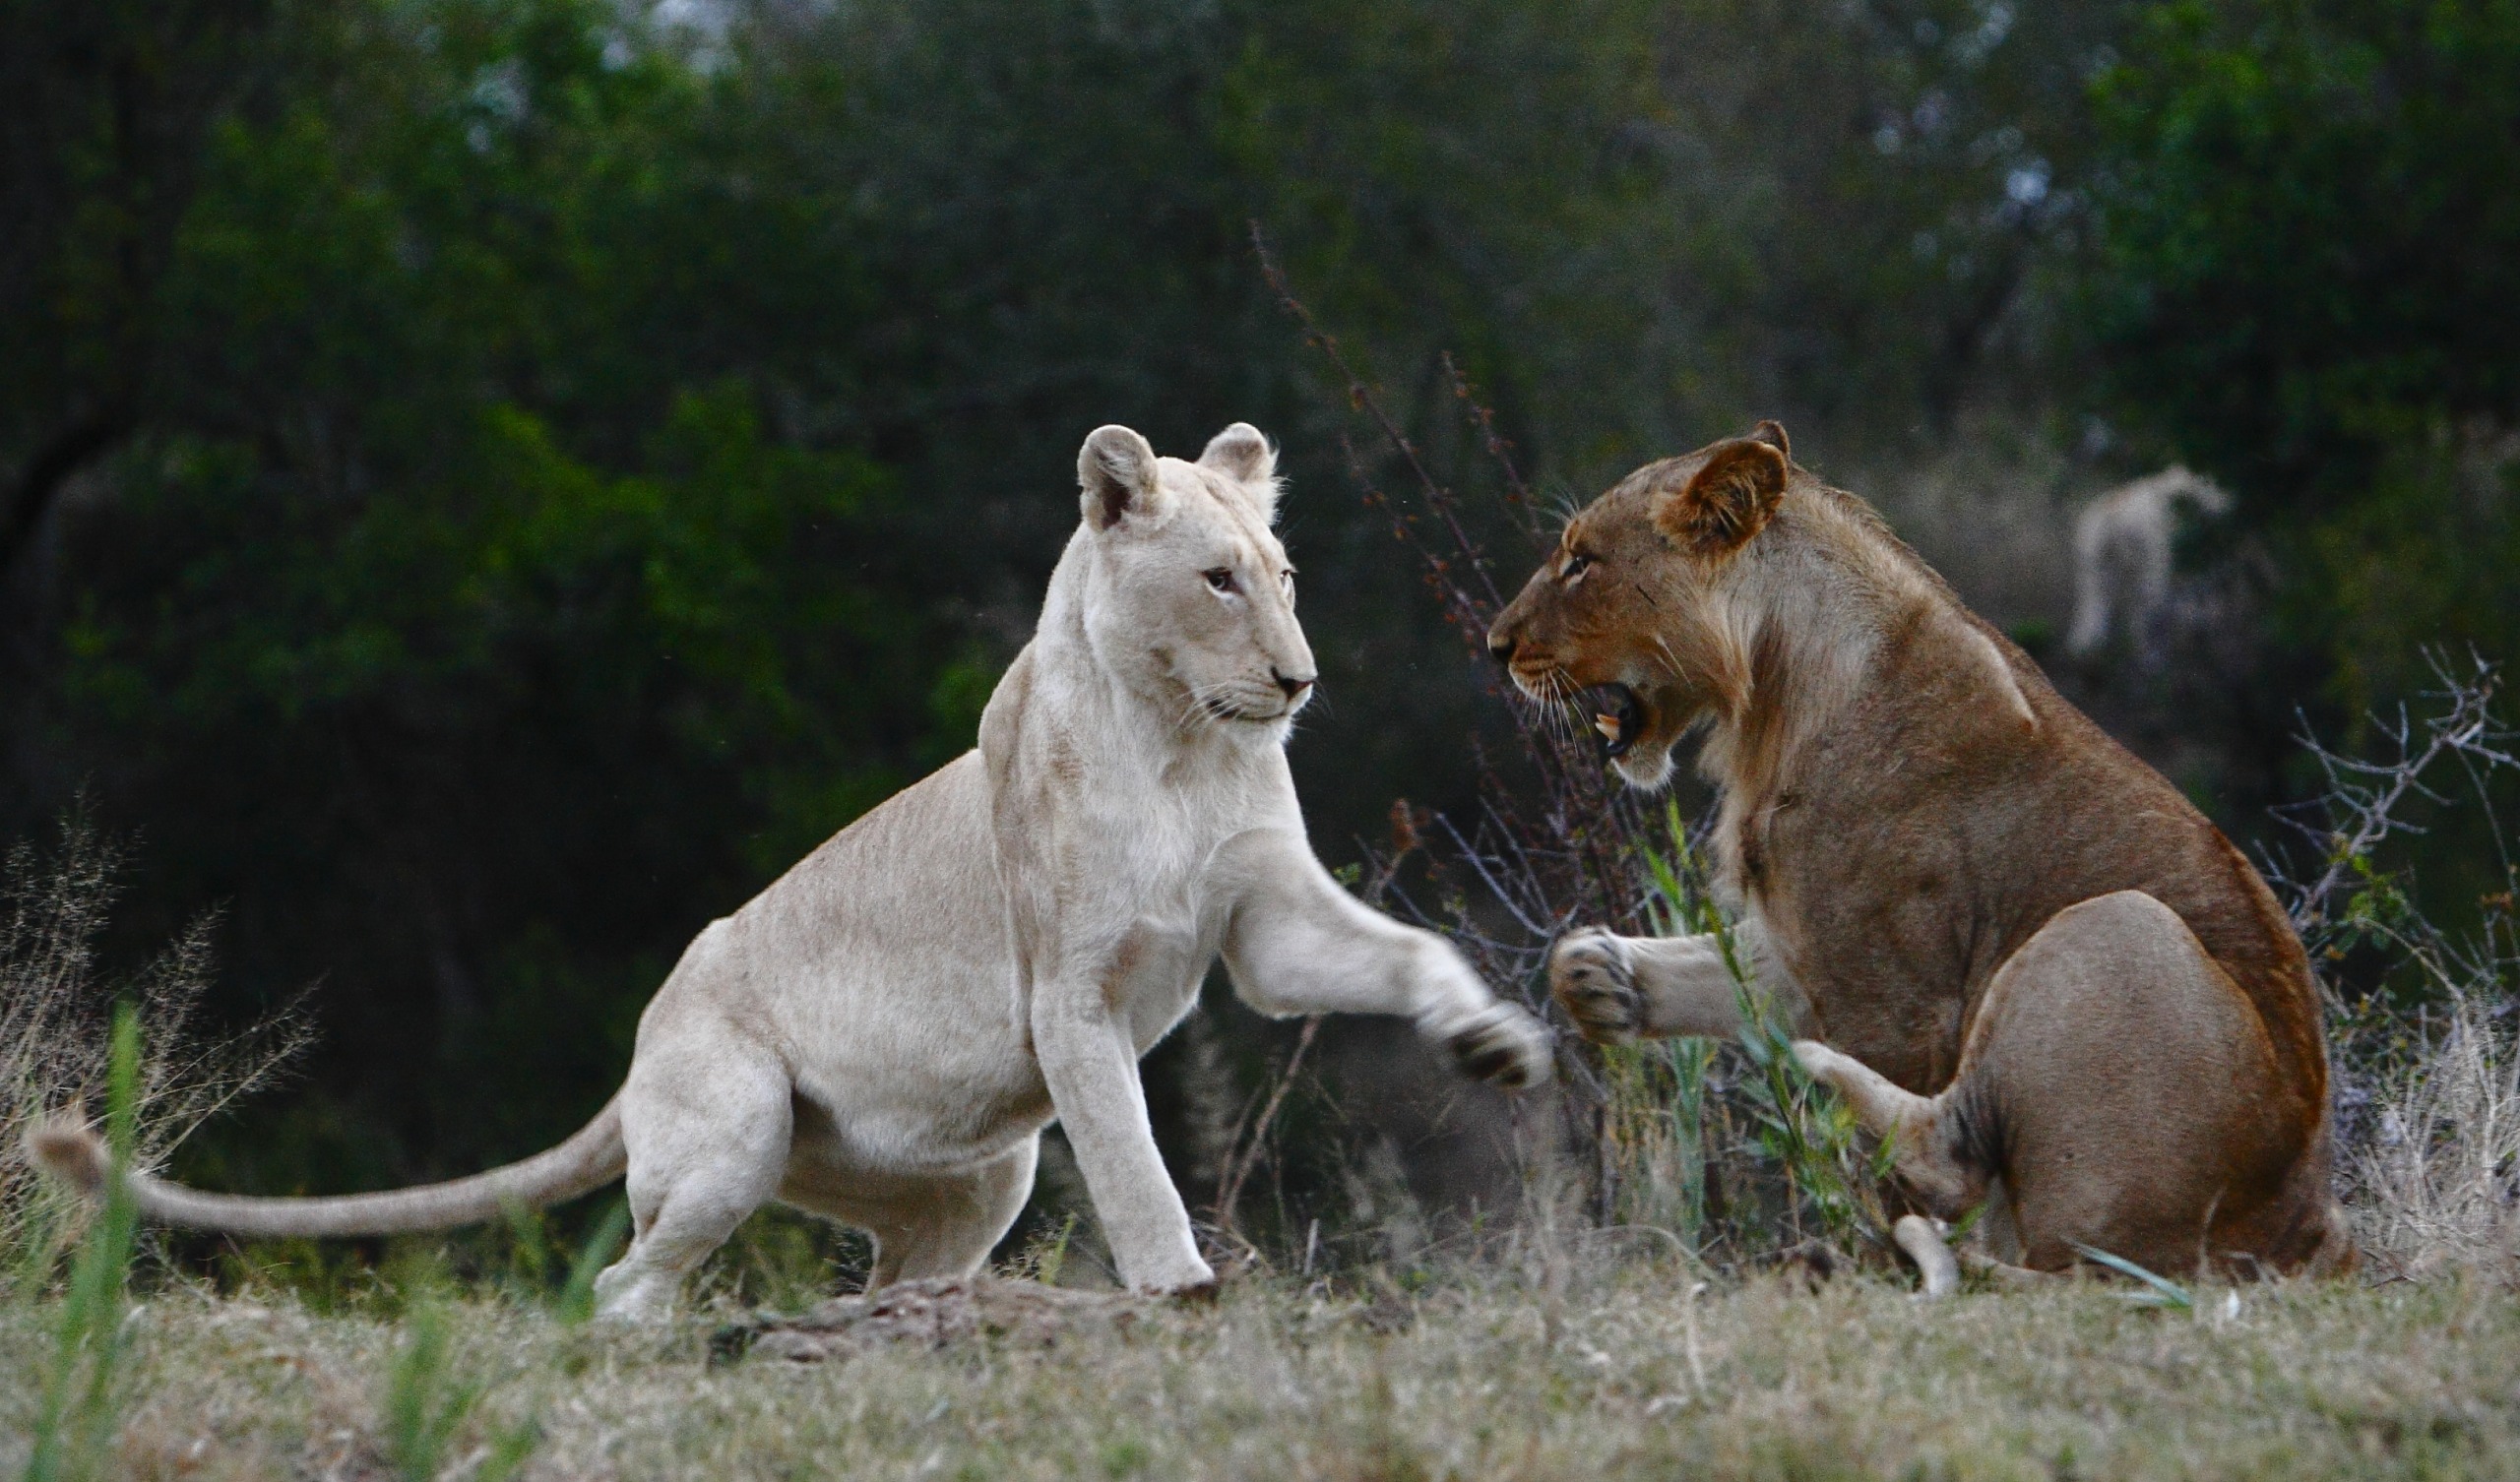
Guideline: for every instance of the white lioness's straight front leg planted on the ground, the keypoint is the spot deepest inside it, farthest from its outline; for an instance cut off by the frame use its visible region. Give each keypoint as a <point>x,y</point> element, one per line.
<point>1090,1065</point>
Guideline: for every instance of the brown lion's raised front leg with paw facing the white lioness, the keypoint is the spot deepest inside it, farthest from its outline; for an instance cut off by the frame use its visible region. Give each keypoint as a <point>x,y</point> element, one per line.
<point>1622,989</point>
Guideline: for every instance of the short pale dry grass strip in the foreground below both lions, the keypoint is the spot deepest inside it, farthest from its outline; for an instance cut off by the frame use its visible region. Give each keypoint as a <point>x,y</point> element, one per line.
<point>1475,1377</point>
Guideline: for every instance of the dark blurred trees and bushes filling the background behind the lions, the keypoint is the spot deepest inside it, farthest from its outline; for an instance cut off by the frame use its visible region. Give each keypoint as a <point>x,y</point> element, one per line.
<point>485,485</point>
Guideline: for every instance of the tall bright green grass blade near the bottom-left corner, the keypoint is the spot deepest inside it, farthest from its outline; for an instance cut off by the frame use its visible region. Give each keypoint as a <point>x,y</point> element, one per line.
<point>82,1403</point>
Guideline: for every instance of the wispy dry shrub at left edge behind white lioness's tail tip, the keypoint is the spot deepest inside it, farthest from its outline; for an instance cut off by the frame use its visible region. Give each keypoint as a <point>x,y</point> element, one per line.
<point>57,1012</point>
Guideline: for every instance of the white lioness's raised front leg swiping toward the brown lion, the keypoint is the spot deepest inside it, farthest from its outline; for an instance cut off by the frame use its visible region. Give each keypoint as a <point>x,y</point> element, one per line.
<point>1299,944</point>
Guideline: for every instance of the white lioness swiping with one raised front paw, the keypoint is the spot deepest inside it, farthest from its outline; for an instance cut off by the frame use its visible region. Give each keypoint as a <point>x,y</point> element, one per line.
<point>886,1032</point>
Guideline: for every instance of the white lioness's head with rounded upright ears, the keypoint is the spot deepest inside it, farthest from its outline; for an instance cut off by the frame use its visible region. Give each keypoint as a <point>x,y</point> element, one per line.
<point>1188,594</point>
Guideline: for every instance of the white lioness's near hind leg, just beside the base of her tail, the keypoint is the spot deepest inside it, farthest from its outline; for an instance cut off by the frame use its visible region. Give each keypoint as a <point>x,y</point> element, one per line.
<point>707,1138</point>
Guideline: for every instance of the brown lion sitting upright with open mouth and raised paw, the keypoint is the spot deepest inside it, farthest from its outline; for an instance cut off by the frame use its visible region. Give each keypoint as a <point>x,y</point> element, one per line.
<point>2037,972</point>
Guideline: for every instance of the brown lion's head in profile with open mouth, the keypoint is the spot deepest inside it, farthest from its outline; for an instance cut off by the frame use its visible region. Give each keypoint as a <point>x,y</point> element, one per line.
<point>1629,621</point>
